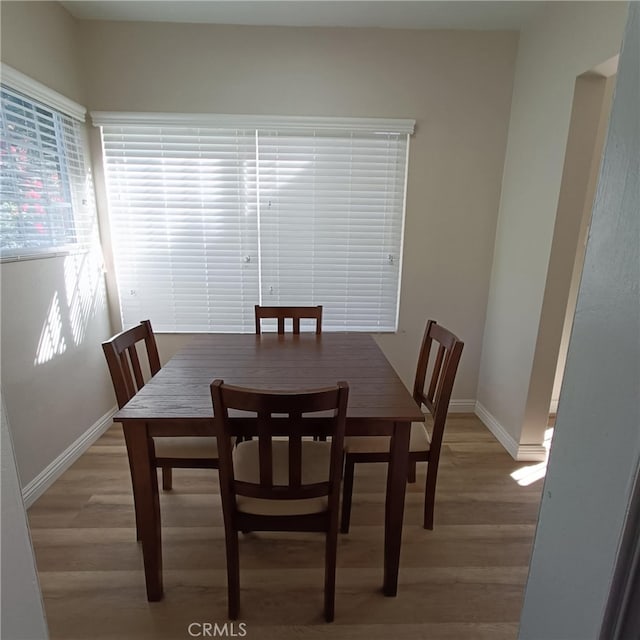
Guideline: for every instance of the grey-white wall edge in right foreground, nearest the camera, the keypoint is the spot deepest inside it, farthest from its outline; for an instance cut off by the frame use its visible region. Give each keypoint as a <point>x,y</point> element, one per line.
<point>596,450</point>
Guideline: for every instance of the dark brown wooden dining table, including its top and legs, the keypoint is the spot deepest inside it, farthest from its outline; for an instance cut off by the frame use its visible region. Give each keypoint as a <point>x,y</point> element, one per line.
<point>177,402</point>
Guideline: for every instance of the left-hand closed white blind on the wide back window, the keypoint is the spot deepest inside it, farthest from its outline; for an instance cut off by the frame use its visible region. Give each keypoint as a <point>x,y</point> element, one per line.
<point>183,212</point>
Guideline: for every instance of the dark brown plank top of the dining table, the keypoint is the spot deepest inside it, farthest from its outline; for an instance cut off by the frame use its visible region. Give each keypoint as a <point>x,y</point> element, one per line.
<point>180,390</point>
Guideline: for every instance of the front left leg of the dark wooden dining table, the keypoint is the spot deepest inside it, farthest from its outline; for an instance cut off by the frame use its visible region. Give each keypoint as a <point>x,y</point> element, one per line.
<point>147,503</point>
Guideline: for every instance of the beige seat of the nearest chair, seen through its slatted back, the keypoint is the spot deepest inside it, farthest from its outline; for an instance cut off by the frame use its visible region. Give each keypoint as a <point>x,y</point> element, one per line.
<point>316,457</point>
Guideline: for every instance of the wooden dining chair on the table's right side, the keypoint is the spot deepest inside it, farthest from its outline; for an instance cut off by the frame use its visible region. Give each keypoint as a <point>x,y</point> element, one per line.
<point>423,446</point>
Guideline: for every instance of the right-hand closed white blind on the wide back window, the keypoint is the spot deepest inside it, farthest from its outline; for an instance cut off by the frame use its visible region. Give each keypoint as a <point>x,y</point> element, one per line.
<point>331,214</point>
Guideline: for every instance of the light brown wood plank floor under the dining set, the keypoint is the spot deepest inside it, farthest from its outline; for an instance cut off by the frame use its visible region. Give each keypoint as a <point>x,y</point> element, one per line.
<point>463,580</point>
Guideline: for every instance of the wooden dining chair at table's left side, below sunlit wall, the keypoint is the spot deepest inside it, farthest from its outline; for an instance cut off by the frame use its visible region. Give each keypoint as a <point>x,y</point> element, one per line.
<point>123,354</point>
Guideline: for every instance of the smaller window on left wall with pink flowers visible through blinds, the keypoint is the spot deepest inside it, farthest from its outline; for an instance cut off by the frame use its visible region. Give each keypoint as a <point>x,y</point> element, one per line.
<point>46,204</point>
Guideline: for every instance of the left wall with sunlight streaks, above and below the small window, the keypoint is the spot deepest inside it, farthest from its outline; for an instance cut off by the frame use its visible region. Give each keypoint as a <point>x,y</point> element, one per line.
<point>53,306</point>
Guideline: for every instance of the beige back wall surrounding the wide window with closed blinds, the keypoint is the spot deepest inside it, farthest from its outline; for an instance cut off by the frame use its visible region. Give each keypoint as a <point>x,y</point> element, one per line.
<point>457,85</point>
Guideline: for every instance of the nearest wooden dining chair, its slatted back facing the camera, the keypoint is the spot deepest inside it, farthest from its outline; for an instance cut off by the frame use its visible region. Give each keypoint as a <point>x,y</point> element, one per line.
<point>280,480</point>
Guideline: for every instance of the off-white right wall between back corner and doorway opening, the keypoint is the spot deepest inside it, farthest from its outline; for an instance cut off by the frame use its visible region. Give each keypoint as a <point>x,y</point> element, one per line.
<point>563,42</point>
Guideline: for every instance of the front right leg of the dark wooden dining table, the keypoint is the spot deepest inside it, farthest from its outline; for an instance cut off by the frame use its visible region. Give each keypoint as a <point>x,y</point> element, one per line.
<point>394,506</point>
